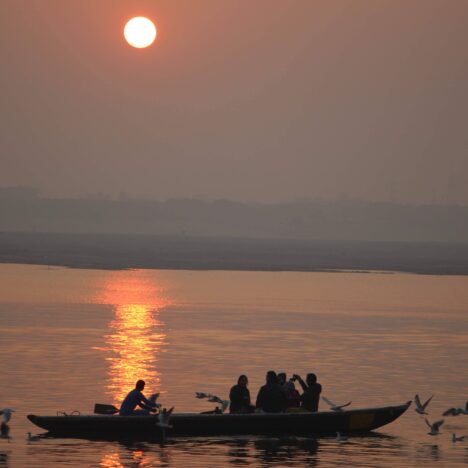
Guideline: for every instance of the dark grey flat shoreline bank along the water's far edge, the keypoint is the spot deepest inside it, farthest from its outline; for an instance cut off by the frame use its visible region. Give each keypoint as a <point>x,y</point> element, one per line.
<point>115,252</point>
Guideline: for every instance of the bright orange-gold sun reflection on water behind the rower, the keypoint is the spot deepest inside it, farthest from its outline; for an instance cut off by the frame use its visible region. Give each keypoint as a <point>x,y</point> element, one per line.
<point>136,332</point>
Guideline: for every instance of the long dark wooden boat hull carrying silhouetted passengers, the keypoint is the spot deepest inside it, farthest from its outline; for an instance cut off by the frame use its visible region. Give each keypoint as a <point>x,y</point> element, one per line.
<point>194,425</point>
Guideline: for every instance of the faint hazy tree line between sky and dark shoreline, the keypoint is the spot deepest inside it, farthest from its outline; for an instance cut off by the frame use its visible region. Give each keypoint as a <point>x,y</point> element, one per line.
<point>24,210</point>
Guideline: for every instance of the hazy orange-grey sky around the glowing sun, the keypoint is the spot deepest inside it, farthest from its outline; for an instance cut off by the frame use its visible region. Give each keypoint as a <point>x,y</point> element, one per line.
<point>255,100</point>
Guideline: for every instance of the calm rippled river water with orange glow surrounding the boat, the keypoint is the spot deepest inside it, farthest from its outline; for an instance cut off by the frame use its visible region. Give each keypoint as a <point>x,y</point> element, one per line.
<point>70,338</point>
